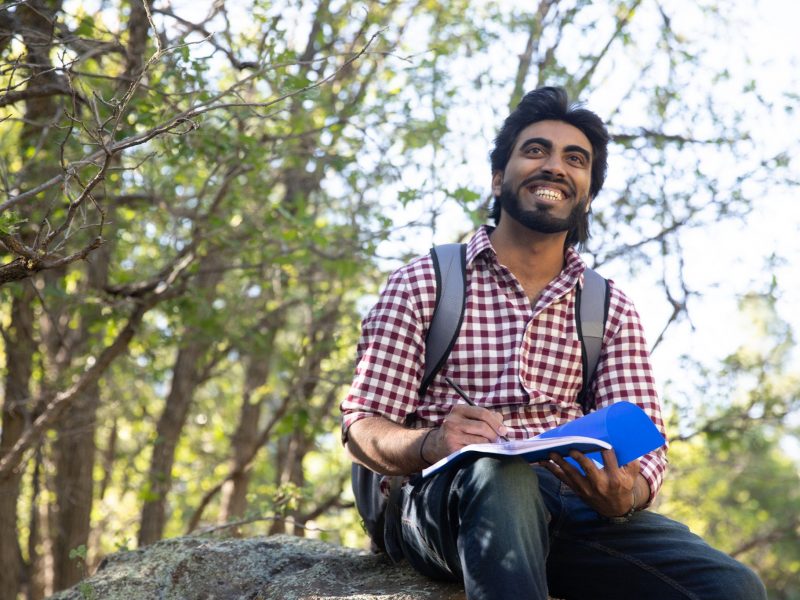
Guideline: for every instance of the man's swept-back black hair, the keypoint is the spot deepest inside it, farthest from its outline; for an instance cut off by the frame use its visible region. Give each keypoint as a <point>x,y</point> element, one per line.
<point>553,104</point>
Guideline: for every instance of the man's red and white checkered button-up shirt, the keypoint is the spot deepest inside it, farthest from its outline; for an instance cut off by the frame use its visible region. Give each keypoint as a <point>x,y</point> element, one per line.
<point>520,360</point>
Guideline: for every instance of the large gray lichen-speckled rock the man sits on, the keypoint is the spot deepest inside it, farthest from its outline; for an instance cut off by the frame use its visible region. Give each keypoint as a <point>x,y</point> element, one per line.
<point>261,568</point>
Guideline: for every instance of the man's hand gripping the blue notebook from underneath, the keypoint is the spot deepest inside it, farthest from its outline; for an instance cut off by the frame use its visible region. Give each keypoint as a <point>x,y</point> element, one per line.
<point>608,490</point>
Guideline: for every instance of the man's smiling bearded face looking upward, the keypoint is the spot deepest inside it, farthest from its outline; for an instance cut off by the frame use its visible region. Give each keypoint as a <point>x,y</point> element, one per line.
<point>545,185</point>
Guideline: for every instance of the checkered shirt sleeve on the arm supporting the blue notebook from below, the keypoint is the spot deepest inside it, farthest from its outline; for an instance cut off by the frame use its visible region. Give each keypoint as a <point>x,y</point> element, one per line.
<point>624,373</point>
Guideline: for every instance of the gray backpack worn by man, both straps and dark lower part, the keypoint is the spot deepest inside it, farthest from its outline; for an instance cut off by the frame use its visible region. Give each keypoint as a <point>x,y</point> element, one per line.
<point>450,267</point>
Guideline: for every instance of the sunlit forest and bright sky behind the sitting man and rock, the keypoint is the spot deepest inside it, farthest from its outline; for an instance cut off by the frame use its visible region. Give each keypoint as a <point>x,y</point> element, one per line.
<point>201,199</point>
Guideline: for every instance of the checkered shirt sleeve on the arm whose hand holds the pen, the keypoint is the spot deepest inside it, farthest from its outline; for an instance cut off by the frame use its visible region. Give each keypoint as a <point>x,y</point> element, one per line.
<point>390,363</point>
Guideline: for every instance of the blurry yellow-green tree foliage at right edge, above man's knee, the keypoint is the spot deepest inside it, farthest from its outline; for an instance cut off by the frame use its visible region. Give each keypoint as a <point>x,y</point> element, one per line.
<point>738,488</point>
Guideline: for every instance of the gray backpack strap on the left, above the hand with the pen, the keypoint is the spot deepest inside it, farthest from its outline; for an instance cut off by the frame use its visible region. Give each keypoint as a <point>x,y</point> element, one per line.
<point>450,266</point>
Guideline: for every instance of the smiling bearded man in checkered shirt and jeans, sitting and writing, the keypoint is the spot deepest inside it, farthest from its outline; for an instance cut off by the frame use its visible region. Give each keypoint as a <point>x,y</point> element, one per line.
<point>507,529</point>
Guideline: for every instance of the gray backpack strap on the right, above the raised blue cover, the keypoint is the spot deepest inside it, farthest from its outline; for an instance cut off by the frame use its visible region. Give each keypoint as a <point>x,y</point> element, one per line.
<point>591,307</point>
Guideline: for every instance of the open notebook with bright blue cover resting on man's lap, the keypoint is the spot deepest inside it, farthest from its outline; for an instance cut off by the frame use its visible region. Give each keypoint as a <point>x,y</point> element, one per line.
<point>622,426</point>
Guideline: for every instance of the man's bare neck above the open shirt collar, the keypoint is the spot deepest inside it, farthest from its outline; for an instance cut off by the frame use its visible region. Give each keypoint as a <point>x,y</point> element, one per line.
<point>534,258</point>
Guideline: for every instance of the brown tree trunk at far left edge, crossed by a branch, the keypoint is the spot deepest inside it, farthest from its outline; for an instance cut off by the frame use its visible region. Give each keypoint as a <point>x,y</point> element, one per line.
<point>19,350</point>
